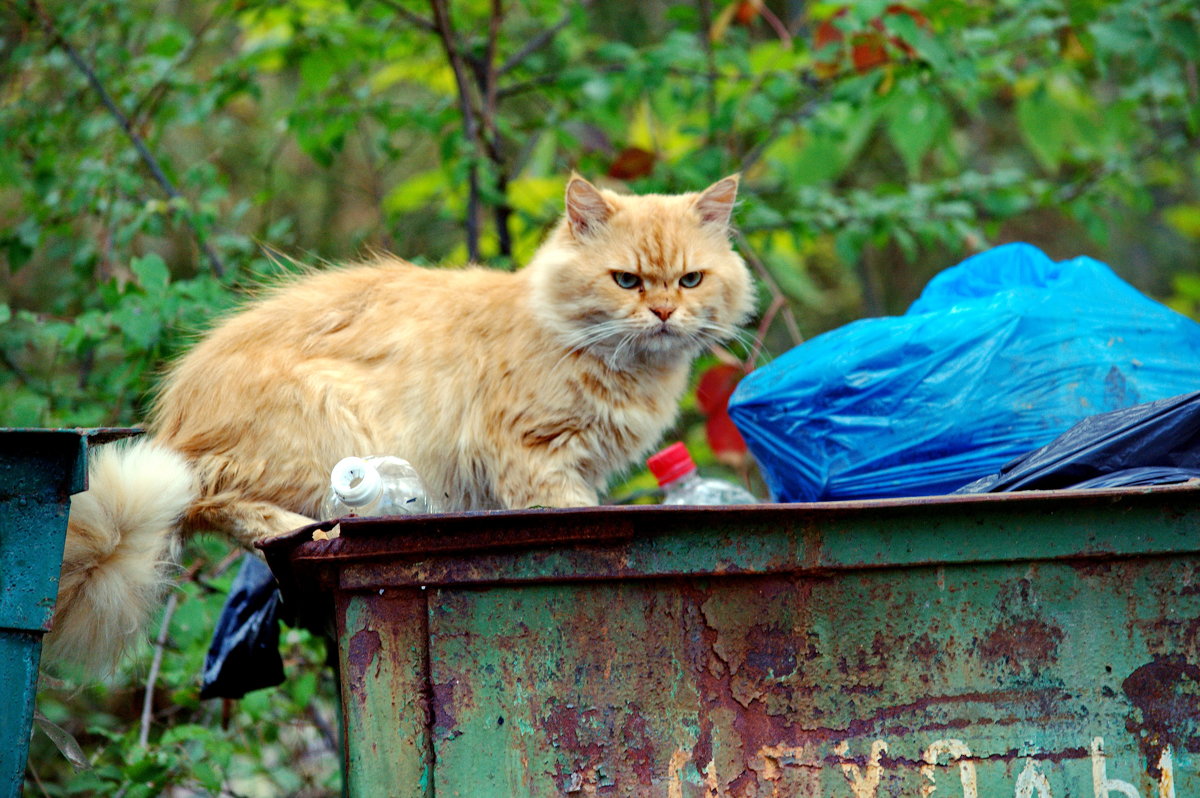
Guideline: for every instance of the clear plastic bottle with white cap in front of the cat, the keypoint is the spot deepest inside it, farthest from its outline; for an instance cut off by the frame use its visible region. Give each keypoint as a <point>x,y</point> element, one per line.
<point>375,487</point>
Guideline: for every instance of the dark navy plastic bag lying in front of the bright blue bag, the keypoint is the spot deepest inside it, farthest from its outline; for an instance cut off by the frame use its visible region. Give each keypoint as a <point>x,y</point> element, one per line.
<point>1155,443</point>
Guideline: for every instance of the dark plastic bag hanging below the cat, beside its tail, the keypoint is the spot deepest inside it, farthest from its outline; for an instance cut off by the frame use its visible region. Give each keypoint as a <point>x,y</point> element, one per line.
<point>245,651</point>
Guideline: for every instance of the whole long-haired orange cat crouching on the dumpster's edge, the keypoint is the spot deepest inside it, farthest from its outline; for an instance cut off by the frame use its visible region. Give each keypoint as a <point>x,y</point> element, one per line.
<point>503,389</point>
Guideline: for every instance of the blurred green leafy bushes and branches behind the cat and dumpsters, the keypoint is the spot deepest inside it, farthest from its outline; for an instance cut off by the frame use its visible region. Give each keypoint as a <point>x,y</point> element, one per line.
<point>161,158</point>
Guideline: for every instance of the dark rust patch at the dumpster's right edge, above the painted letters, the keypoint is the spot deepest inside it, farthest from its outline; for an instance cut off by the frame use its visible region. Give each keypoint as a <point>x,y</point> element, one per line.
<point>1166,694</point>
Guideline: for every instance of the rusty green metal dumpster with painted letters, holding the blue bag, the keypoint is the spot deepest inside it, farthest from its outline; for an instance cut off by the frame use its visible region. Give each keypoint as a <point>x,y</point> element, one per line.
<point>1018,645</point>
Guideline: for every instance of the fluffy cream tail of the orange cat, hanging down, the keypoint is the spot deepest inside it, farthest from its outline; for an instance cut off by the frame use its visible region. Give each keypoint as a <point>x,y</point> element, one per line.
<point>122,538</point>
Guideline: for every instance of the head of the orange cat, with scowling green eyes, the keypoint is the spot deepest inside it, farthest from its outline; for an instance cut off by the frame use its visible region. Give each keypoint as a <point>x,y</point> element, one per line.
<point>643,278</point>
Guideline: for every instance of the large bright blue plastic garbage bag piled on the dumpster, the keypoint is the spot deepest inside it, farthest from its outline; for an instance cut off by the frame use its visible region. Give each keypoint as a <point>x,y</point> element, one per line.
<point>998,357</point>
